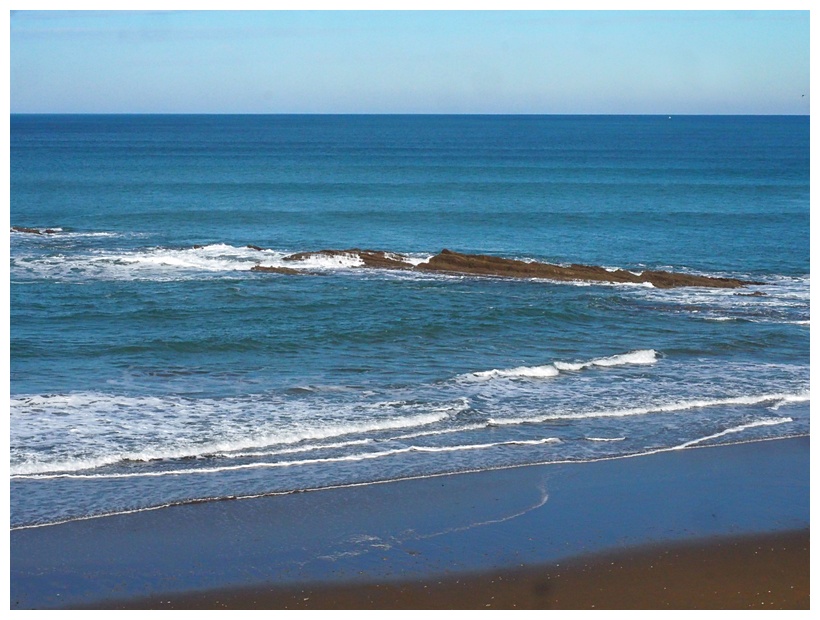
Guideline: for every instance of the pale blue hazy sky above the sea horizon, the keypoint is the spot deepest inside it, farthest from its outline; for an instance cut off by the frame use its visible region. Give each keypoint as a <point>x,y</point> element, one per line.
<point>516,62</point>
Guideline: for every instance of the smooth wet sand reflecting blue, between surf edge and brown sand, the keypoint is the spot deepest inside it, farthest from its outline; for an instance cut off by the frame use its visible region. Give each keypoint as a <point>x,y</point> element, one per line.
<point>403,535</point>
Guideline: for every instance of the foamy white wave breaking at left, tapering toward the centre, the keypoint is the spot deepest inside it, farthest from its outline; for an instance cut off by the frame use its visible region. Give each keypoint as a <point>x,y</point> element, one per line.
<point>161,417</point>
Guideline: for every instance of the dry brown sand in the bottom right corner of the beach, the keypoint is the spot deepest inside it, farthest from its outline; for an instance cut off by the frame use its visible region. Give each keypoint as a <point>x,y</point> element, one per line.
<point>757,571</point>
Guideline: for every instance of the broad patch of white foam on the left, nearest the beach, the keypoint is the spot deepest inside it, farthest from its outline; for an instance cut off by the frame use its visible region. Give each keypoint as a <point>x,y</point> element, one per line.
<point>108,427</point>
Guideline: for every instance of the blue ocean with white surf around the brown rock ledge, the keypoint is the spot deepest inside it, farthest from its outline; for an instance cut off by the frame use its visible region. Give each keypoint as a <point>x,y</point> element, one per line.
<point>150,366</point>
